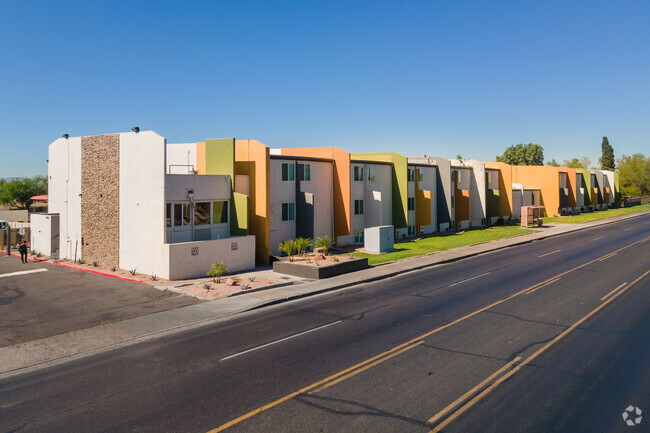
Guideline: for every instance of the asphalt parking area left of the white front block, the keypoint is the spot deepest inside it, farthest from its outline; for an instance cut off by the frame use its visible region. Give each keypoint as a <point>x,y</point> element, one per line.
<point>39,300</point>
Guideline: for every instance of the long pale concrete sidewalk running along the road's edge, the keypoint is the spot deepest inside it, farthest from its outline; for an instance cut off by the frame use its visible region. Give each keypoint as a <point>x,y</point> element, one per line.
<point>61,348</point>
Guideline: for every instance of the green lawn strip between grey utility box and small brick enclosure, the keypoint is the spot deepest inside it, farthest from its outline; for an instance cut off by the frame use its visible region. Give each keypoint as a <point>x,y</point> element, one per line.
<point>439,243</point>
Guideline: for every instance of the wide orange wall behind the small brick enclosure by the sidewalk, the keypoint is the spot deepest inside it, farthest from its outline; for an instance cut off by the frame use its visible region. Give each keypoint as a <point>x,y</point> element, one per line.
<point>546,178</point>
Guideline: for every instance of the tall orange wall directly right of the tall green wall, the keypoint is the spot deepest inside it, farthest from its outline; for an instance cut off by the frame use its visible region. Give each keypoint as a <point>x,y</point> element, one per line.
<point>252,158</point>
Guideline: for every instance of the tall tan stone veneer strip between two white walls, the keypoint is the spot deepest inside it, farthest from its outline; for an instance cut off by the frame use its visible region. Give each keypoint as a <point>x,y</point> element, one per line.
<point>100,188</point>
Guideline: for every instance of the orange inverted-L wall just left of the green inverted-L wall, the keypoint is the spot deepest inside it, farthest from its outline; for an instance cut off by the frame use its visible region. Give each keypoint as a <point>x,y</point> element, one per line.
<point>341,193</point>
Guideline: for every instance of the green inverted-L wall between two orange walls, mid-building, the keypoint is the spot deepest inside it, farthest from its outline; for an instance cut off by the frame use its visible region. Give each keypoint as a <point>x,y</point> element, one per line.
<point>400,183</point>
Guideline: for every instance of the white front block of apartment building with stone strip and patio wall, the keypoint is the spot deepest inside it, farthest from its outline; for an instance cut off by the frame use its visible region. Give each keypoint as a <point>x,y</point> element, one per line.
<point>125,200</point>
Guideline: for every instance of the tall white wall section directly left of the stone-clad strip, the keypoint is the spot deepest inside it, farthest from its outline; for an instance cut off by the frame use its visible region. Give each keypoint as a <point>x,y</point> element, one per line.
<point>64,192</point>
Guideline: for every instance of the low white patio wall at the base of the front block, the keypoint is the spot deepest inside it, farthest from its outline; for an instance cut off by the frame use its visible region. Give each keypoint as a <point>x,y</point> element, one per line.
<point>181,264</point>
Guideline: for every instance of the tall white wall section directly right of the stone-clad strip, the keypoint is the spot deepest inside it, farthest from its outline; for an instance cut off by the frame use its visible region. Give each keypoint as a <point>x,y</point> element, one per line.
<point>142,201</point>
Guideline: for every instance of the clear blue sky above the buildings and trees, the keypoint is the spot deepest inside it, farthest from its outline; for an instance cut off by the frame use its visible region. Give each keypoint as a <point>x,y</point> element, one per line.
<point>415,77</point>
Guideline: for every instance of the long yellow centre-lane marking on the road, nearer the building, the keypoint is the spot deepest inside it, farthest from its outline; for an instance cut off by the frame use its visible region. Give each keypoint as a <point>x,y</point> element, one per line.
<point>401,346</point>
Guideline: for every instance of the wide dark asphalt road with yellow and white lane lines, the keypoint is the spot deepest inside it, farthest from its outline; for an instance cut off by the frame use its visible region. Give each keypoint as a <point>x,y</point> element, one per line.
<point>539,337</point>
